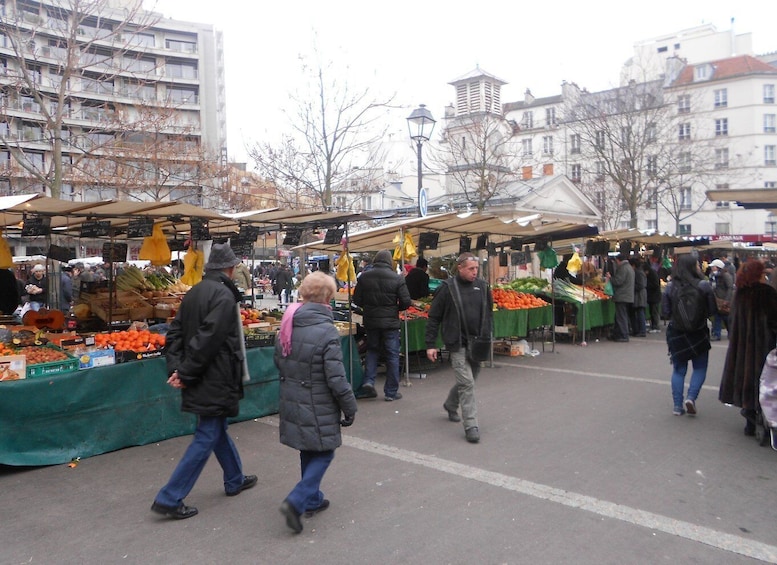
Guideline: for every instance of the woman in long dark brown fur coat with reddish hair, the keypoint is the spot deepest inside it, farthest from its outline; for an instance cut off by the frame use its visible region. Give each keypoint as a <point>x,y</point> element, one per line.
<point>752,334</point>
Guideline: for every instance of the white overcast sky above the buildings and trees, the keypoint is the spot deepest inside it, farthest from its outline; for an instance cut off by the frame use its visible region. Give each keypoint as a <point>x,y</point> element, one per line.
<point>415,48</point>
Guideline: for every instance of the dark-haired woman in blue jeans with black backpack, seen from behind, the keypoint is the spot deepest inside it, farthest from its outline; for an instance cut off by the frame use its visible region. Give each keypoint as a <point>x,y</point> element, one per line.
<point>687,343</point>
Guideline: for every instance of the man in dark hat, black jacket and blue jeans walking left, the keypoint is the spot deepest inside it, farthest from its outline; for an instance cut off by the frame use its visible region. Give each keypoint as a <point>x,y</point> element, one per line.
<point>205,361</point>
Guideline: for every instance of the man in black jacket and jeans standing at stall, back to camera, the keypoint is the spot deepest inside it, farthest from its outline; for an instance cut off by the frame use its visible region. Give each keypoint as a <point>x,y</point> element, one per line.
<point>382,294</point>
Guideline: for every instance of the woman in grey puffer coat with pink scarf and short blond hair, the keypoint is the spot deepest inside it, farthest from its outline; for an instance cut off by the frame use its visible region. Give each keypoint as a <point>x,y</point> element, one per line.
<point>314,393</point>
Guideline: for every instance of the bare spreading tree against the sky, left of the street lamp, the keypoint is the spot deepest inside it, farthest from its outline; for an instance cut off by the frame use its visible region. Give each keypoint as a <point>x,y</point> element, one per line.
<point>336,133</point>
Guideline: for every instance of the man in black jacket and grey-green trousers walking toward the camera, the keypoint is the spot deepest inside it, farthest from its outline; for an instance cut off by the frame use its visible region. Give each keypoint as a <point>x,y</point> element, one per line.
<point>463,307</point>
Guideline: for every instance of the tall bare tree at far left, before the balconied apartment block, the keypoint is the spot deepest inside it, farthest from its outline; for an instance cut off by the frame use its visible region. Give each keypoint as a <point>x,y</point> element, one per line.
<point>60,49</point>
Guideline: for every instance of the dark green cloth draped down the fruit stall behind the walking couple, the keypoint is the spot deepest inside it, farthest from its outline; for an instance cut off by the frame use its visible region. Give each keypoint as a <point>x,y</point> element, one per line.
<point>52,420</point>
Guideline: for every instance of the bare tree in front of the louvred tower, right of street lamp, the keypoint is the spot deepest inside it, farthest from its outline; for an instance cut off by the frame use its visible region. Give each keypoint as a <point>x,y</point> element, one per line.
<point>479,156</point>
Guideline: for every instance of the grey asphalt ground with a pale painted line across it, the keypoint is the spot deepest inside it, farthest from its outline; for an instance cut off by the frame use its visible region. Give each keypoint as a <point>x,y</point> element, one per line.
<point>581,461</point>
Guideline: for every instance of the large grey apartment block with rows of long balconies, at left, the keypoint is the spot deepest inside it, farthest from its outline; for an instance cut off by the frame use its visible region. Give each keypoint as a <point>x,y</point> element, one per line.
<point>112,102</point>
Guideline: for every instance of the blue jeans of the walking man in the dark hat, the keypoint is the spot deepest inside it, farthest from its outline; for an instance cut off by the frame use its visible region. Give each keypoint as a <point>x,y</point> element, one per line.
<point>209,437</point>
